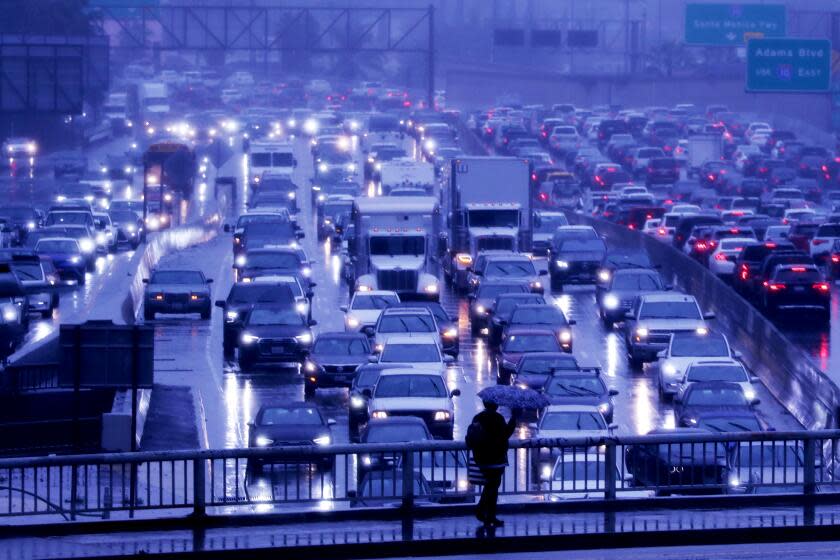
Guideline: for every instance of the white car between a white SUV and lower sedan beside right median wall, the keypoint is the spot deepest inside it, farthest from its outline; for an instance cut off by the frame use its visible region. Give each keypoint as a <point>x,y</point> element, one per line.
<point>685,349</point>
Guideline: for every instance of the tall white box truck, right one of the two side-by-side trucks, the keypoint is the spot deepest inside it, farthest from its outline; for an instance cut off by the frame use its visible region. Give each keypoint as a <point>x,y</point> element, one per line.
<point>487,204</point>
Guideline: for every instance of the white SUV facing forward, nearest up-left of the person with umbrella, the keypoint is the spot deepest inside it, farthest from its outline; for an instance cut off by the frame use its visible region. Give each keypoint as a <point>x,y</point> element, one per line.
<point>415,392</point>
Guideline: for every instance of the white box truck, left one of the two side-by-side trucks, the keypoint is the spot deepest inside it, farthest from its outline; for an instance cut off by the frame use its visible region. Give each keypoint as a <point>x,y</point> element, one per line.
<point>396,245</point>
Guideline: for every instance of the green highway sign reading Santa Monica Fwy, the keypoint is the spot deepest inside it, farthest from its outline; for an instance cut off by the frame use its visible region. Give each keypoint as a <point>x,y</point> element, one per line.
<point>732,24</point>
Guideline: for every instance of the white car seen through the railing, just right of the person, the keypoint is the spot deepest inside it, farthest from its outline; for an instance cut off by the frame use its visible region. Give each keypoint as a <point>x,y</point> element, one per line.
<point>581,475</point>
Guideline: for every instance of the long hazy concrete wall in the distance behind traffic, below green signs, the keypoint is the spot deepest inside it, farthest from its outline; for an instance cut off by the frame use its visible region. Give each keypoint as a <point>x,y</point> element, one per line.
<point>468,87</point>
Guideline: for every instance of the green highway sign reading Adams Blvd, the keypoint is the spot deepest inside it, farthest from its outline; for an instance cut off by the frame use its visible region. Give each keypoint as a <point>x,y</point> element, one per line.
<point>788,65</point>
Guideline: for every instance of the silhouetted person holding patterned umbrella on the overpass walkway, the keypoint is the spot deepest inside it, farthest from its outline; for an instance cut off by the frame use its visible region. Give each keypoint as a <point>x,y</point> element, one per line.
<point>487,438</point>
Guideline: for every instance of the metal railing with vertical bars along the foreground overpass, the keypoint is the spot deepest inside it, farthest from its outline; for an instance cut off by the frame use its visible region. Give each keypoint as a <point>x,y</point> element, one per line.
<point>405,475</point>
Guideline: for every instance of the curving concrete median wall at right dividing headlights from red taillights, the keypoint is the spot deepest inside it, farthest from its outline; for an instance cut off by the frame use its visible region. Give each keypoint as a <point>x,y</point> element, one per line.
<point>788,372</point>
